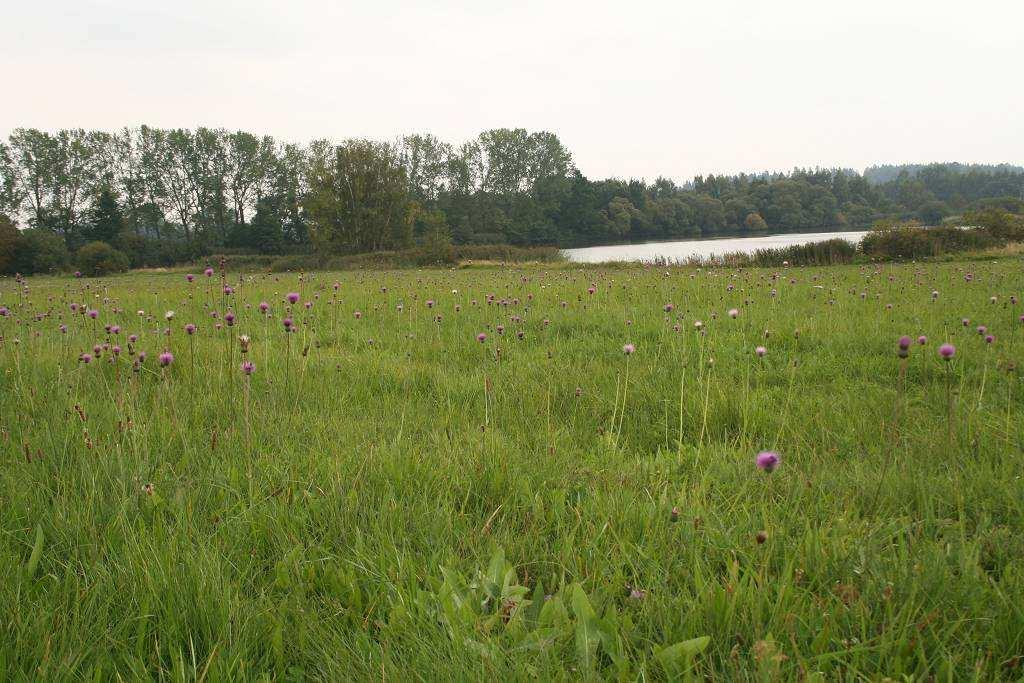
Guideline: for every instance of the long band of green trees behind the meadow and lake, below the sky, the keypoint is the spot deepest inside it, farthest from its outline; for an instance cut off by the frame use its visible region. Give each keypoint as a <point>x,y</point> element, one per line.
<point>157,197</point>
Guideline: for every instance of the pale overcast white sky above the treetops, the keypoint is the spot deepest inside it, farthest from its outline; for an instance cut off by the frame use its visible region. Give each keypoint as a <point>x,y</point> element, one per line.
<point>634,90</point>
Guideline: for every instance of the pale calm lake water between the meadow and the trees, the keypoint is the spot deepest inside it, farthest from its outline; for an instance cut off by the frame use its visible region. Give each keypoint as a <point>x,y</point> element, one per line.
<point>702,248</point>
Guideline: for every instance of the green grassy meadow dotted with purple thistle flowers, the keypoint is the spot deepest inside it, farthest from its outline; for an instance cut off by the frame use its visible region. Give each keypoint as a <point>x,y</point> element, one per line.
<point>464,476</point>
